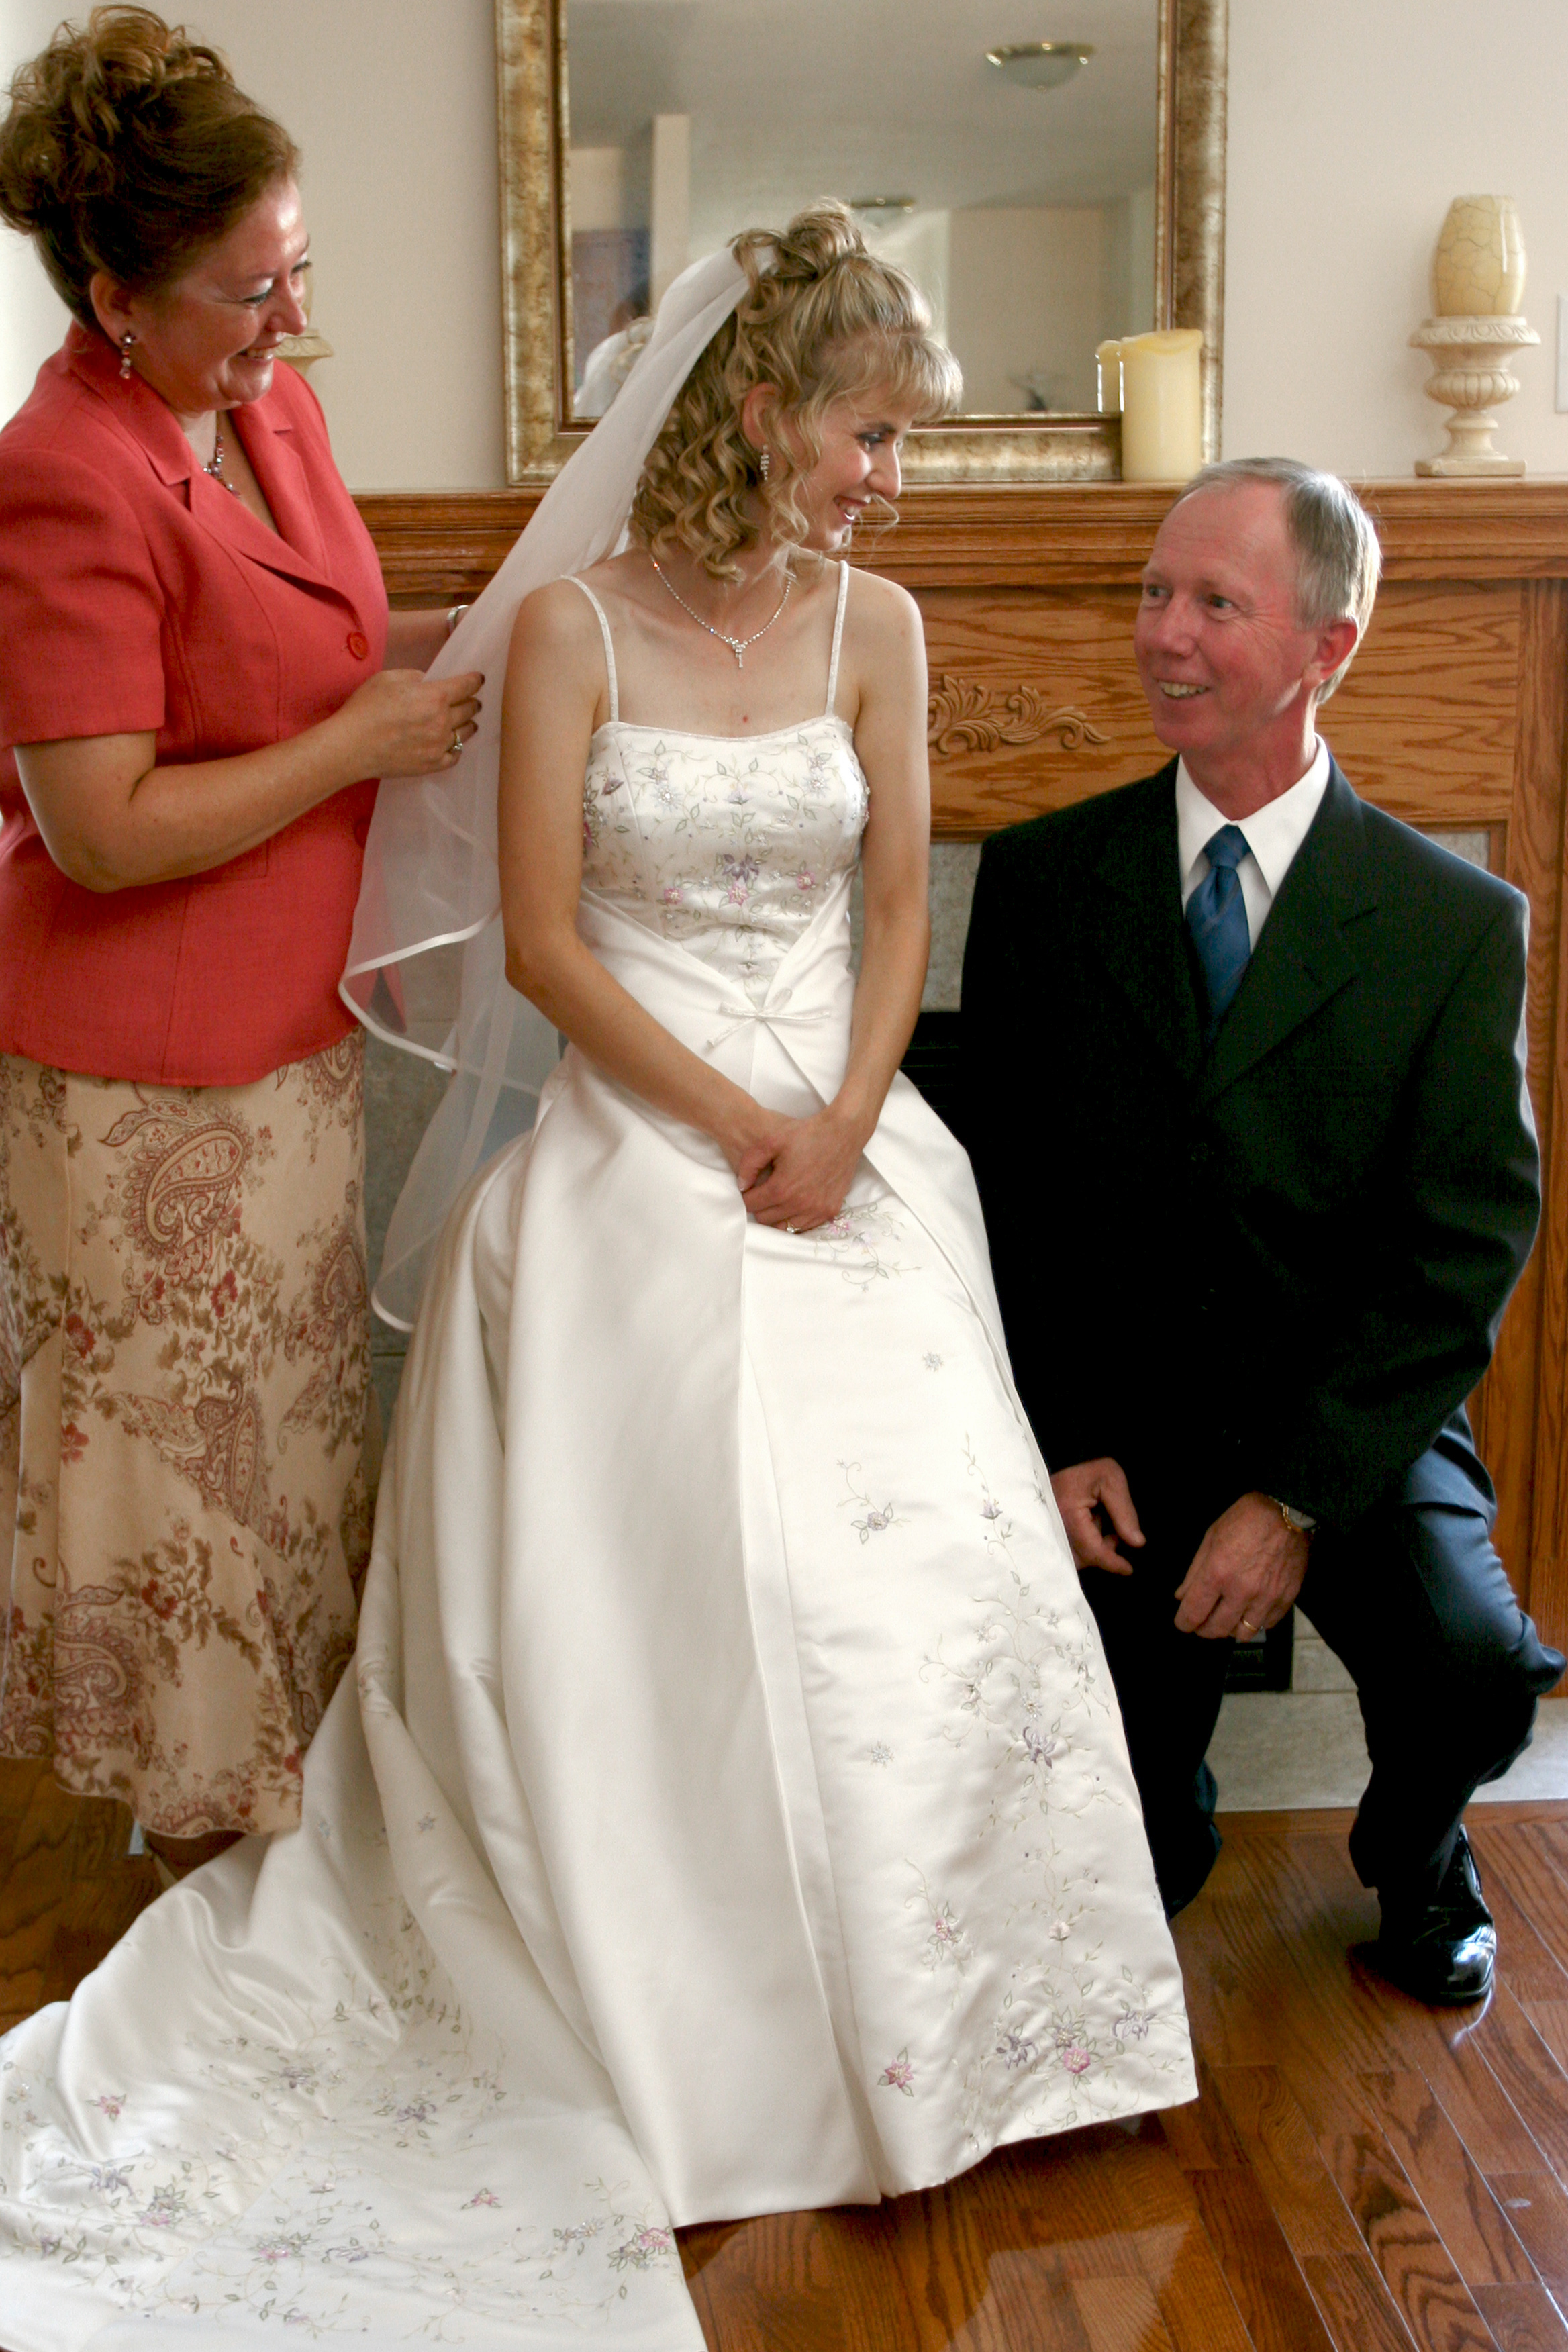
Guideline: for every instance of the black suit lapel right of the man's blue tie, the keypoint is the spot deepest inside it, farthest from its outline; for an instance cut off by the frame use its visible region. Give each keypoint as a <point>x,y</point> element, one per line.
<point>1304,958</point>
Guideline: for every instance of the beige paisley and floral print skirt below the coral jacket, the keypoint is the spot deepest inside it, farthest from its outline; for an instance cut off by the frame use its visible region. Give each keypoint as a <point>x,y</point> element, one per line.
<point>187,1431</point>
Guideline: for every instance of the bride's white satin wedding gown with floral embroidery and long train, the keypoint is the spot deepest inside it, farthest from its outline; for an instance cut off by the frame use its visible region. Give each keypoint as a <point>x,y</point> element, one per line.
<point>730,1808</point>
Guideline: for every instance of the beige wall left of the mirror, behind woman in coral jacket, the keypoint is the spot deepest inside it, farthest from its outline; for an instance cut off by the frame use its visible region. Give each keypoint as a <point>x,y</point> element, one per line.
<point>394,105</point>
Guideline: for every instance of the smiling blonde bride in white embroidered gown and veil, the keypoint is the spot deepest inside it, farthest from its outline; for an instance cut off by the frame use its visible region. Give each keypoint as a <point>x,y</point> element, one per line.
<point>730,1808</point>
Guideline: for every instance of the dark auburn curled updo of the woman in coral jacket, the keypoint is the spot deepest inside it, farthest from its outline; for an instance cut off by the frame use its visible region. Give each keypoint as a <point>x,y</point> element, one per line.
<point>130,149</point>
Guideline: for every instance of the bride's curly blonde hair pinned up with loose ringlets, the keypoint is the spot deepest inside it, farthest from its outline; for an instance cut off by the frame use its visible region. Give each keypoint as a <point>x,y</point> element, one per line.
<point>822,321</point>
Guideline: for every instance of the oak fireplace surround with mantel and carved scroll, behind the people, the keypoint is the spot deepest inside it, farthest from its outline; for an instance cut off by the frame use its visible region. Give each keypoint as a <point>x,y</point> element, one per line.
<point>1454,719</point>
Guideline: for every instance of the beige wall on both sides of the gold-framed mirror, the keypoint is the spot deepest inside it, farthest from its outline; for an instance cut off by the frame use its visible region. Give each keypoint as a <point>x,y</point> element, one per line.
<point>1343,154</point>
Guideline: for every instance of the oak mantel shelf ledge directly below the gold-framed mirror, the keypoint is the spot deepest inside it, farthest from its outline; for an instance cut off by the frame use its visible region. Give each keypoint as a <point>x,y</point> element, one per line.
<point>438,547</point>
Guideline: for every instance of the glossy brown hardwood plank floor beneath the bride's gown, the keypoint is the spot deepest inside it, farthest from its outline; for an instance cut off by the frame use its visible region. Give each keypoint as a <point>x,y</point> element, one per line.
<point>1360,2172</point>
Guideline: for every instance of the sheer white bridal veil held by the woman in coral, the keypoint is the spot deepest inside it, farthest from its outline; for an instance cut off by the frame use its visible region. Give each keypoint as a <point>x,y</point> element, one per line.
<point>427,956</point>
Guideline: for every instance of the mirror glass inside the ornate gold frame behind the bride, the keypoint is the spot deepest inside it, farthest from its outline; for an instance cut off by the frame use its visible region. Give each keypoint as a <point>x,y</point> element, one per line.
<point>1000,149</point>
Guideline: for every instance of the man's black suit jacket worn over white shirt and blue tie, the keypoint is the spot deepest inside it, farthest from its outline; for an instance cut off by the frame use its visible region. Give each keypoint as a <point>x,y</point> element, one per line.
<point>1280,1262</point>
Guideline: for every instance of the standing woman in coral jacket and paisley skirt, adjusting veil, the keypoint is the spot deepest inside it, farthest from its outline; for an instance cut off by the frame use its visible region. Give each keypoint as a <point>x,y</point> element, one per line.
<point>194,716</point>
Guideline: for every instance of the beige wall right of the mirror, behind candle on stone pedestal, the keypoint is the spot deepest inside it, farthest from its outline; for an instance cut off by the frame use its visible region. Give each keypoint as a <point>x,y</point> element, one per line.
<point>1351,131</point>
